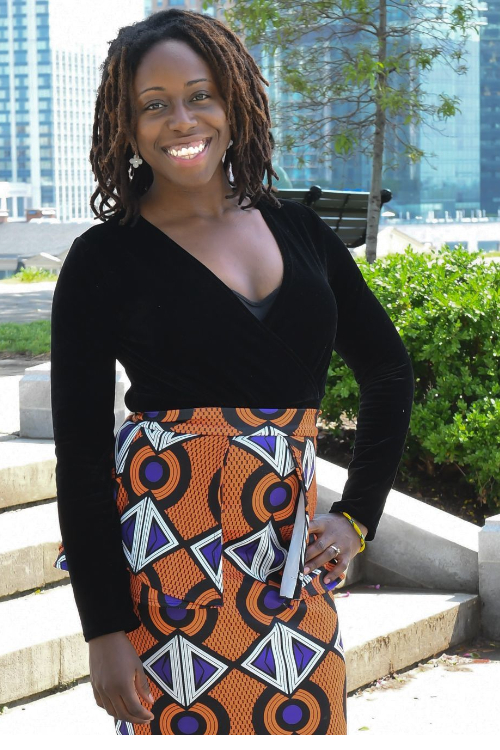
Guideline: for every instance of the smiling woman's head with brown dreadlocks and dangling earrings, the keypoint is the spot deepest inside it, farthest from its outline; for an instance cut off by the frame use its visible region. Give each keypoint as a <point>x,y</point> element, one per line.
<point>174,86</point>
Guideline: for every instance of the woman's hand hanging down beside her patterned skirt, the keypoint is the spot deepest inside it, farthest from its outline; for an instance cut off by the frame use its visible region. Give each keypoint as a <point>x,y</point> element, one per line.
<point>118,678</point>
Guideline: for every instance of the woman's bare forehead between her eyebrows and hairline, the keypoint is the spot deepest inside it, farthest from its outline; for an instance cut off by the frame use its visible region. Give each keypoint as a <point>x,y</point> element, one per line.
<point>170,63</point>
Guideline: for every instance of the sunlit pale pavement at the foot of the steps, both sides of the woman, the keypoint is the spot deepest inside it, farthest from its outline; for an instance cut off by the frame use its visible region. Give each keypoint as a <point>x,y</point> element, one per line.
<point>449,695</point>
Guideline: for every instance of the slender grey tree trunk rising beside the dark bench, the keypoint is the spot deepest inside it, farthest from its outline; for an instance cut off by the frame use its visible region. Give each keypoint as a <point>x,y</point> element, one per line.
<point>378,144</point>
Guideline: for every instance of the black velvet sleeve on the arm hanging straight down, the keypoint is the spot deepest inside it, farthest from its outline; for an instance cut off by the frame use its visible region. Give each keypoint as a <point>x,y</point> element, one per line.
<point>83,395</point>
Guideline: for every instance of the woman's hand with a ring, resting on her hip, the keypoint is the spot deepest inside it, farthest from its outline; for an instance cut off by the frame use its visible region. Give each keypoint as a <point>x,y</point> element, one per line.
<point>328,529</point>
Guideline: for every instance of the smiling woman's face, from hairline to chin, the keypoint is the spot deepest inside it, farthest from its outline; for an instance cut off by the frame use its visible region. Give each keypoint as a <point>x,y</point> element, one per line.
<point>179,107</point>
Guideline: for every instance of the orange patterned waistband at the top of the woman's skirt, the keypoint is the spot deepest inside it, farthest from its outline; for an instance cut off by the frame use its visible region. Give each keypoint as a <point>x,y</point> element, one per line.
<point>233,420</point>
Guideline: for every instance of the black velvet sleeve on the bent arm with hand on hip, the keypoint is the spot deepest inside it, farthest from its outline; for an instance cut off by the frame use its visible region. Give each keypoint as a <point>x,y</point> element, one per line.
<point>369,343</point>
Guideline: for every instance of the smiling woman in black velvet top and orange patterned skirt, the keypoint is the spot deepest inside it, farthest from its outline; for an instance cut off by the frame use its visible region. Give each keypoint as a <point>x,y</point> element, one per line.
<point>185,535</point>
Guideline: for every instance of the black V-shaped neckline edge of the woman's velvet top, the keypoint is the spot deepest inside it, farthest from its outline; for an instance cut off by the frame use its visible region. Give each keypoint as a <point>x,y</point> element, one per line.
<point>282,246</point>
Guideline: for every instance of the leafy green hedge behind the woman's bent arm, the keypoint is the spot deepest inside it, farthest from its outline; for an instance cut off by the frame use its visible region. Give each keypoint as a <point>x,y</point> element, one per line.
<point>446,307</point>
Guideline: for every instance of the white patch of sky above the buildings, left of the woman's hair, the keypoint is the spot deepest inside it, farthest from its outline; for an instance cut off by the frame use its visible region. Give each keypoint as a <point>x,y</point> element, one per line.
<point>91,21</point>
